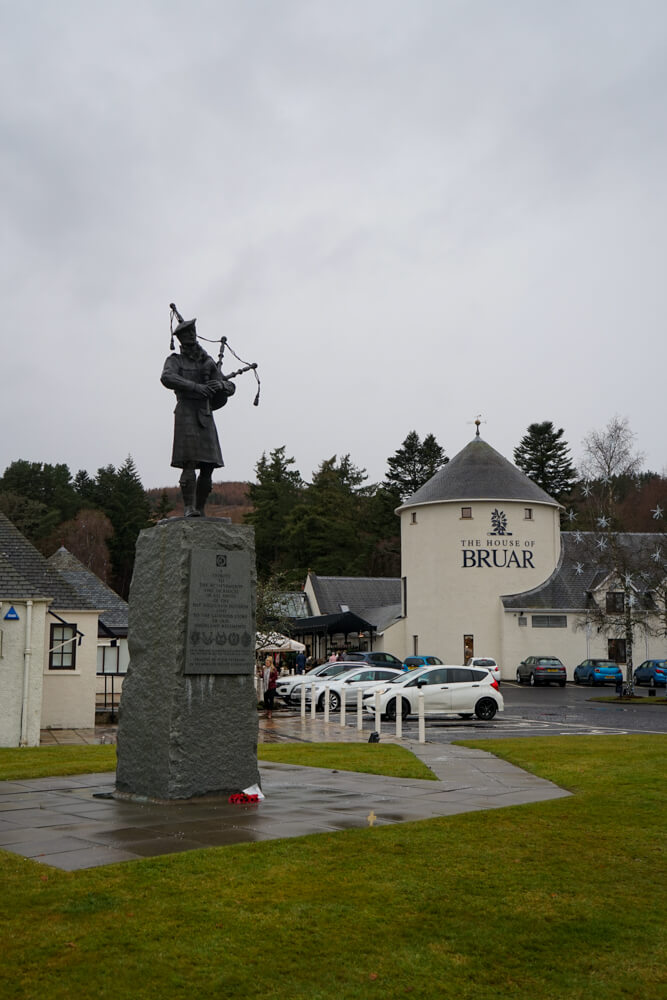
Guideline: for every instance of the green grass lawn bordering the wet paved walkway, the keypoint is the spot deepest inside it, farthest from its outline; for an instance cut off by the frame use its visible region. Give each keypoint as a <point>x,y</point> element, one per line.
<point>553,901</point>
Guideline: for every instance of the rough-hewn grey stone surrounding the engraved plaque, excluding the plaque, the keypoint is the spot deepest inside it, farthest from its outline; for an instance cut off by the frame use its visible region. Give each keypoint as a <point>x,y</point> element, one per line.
<point>181,736</point>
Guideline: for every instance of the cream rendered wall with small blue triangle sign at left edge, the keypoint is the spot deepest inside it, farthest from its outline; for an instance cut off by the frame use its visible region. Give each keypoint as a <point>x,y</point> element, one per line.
<point>12,666</point>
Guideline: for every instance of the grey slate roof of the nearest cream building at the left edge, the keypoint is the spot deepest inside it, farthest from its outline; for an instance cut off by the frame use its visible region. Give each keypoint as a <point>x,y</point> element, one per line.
<point>22,566</point>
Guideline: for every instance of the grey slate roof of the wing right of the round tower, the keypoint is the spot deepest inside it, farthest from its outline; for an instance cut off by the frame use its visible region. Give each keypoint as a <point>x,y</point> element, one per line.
<point>569,590</point>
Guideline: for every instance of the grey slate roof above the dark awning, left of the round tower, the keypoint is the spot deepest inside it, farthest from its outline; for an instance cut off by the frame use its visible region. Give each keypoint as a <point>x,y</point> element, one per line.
<point>363,595</point>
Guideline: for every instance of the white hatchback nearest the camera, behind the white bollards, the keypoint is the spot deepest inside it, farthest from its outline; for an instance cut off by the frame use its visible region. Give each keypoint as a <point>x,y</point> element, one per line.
<point>447,690</point>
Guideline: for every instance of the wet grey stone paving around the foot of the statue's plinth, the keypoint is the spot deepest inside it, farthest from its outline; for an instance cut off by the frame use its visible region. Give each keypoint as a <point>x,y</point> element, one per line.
<point>63,821</point>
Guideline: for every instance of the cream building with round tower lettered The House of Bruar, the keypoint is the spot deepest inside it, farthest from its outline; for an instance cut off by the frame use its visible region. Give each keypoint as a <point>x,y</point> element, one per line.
<point>485,571</point>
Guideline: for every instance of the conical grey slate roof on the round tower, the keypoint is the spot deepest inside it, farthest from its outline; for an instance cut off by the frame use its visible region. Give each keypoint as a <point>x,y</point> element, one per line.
<point>479,472</point>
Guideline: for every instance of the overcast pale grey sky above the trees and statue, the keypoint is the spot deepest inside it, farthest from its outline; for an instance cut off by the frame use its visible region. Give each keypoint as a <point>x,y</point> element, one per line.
<point>408,213</point>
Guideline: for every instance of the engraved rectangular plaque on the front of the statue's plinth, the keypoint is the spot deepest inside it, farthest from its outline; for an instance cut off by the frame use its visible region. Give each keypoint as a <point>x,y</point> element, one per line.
<point>220,637</point>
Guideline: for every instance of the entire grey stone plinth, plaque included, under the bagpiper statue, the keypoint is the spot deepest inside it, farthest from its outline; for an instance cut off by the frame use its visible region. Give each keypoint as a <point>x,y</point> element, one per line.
<point>188,713</point>
